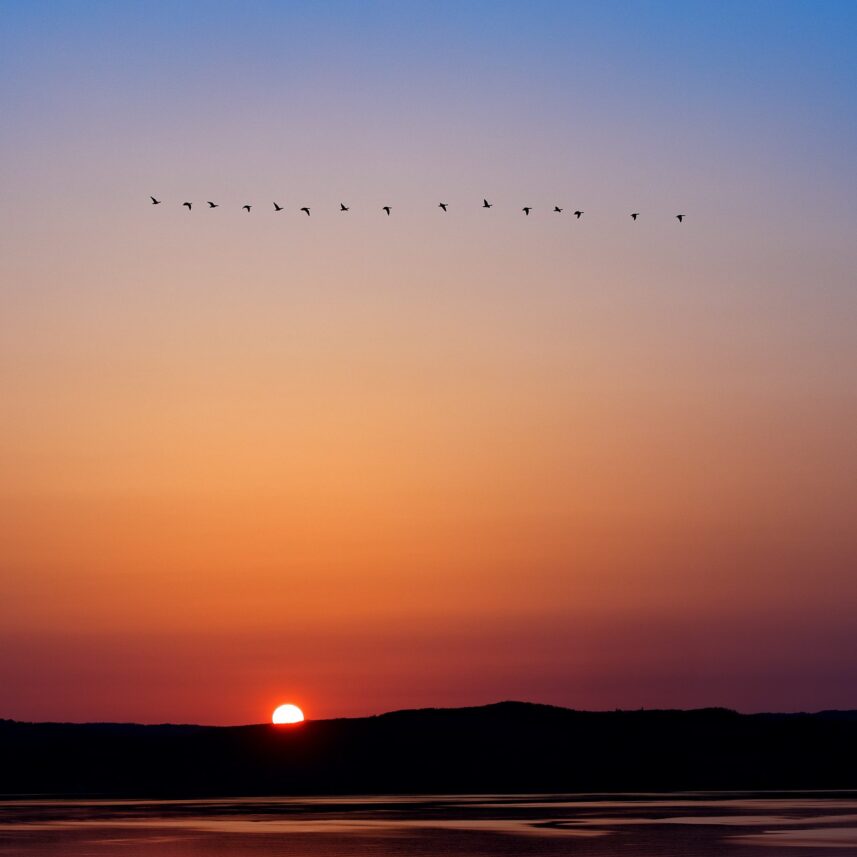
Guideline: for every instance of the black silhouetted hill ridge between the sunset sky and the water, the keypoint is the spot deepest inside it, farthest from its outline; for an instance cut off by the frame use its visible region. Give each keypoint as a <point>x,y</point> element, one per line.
<point>505,747</point>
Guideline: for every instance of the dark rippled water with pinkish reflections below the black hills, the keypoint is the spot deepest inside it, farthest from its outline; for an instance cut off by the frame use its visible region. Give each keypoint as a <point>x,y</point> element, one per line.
<point>637,825</point>
